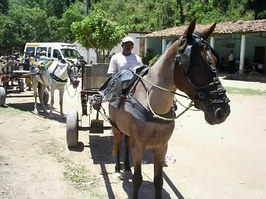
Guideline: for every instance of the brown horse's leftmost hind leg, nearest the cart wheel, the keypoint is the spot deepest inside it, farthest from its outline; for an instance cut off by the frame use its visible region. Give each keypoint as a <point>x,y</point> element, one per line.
<point>116,148</point>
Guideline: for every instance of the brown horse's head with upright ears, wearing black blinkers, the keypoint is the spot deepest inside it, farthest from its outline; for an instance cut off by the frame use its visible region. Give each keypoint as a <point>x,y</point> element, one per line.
<point>195,74</point>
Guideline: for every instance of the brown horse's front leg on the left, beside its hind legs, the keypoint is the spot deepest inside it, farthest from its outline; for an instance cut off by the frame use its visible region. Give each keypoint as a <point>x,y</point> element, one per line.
<point>137,176</point>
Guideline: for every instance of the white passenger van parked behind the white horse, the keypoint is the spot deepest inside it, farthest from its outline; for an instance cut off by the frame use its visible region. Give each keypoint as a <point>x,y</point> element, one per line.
<point>54,50</point>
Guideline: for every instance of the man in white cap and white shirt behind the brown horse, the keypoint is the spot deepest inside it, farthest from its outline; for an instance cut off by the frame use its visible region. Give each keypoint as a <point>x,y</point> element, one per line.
<point>125,59</point>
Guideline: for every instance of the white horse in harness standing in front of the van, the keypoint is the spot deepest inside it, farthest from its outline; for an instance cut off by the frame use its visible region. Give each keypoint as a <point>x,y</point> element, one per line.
<point>53,75</point>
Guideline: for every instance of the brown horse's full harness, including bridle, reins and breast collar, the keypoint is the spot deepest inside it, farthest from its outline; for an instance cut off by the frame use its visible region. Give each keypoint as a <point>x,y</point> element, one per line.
<point>213,92</point>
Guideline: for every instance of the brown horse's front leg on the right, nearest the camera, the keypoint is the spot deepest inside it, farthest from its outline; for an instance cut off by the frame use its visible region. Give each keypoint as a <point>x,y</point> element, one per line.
<point>159,158</point>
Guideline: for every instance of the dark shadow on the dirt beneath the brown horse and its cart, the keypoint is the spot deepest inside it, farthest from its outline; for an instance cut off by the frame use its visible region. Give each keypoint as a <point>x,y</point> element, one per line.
<point>101,152</point>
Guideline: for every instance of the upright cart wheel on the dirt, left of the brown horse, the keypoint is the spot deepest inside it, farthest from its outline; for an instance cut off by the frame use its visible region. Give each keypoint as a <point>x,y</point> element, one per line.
<point>72,128</point>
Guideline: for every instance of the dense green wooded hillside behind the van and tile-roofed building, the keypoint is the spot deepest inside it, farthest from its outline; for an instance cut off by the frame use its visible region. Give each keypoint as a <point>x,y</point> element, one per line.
<point>50,20</point>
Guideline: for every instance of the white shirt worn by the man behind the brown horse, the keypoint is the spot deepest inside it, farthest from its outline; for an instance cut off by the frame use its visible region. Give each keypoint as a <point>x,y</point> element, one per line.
<point>121,62</point>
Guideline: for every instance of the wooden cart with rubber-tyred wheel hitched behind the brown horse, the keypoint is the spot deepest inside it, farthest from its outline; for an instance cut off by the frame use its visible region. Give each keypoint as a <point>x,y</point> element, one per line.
<point>93,76</point>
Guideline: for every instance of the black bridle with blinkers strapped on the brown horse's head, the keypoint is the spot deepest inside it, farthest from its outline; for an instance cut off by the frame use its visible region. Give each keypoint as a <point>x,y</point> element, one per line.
<point>213,93</point>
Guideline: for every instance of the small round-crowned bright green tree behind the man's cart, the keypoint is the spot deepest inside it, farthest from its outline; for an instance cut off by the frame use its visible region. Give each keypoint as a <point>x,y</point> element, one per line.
<point>99,32</point>
